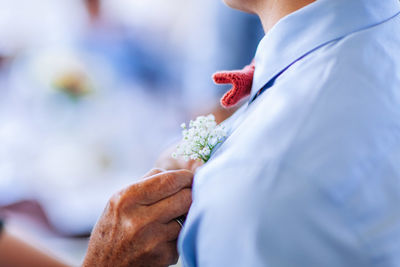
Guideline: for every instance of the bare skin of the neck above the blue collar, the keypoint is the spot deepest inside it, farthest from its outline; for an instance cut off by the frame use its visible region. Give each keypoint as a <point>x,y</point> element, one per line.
<point>271,11</point>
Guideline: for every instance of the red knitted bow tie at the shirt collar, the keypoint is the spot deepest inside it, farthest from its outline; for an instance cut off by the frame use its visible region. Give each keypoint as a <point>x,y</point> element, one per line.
<point>241,81</point>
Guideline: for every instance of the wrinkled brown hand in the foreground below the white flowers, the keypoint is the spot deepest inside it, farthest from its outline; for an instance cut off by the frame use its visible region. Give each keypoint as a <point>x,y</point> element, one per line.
<point>137,227</point>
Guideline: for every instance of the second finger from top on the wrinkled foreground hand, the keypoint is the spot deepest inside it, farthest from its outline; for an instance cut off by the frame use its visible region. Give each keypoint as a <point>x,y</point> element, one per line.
<point>172,207</point>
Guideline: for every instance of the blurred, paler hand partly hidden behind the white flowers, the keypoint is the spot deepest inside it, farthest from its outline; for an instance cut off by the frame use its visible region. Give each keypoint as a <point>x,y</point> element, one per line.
<point>167,162</point>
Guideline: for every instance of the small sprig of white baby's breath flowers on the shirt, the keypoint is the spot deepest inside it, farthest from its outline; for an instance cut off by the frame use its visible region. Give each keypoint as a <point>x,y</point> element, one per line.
<point>200,138</point>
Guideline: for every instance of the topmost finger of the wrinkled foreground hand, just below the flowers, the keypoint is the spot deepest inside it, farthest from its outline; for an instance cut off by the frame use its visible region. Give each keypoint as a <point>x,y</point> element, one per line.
<point>160,186</point>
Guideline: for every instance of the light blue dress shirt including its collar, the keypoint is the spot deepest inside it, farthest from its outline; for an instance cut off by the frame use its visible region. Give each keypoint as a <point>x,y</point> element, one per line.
<point>310,175</point>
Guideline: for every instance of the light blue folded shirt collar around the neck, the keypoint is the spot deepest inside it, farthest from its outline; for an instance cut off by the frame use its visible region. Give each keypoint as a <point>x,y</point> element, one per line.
<point>321,22</point>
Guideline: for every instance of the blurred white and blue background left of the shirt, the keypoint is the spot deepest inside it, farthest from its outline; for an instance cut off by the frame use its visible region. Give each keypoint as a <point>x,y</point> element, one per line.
<point>91,91</point>
